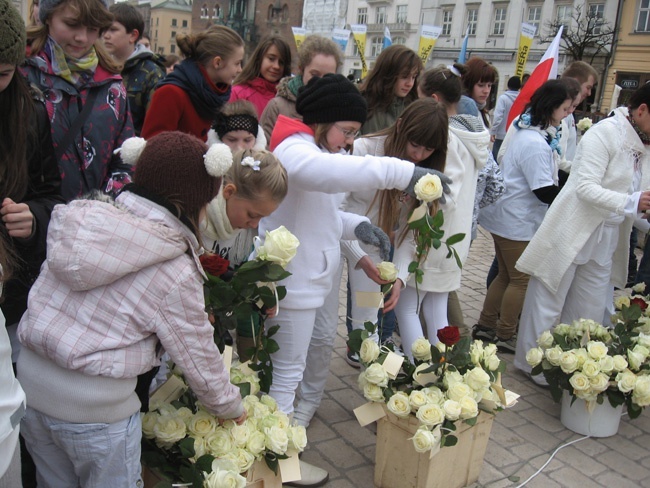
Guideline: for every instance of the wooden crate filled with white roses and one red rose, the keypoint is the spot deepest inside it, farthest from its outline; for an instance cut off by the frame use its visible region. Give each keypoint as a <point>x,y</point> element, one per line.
<point>445,399</point>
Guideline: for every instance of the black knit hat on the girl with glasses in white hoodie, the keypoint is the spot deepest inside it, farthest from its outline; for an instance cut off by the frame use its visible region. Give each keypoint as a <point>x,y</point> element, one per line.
<point>332,98</point>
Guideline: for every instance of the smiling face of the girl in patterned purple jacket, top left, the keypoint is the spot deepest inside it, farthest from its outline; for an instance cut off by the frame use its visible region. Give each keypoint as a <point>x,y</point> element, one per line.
<point>75,39</point>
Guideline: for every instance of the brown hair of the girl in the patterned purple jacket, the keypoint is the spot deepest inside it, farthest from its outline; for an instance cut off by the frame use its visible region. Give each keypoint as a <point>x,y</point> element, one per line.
<point>90,13</point>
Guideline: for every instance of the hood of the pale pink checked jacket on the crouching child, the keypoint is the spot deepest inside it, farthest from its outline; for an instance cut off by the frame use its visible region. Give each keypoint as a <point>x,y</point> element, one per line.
<point>94,243</point>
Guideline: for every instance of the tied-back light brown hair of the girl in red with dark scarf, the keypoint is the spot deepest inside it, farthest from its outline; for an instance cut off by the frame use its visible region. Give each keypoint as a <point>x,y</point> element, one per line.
<point>203,46</point>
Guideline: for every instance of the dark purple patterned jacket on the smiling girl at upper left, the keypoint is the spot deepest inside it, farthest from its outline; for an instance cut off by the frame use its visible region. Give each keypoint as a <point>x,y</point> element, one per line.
<point>89,162</point>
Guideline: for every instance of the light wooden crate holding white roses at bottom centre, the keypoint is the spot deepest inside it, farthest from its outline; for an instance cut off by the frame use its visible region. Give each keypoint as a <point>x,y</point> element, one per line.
<point>398,465</point>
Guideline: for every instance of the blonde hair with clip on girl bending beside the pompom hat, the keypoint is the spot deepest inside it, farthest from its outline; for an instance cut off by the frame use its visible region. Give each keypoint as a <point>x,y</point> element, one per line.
<point>271,177</point>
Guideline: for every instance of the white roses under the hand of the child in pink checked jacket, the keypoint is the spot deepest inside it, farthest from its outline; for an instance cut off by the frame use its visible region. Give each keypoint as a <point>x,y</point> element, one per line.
<point>184,443</point>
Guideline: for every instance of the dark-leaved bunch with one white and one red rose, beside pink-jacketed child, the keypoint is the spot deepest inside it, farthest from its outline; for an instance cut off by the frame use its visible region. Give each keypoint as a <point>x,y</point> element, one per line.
<point>247,294</point>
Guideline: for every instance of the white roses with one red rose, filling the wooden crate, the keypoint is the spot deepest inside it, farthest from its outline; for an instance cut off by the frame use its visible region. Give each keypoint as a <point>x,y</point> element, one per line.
<point>449,382</point>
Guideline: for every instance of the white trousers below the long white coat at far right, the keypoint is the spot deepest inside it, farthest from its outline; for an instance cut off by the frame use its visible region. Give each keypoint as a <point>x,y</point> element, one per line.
<point>584,292</point>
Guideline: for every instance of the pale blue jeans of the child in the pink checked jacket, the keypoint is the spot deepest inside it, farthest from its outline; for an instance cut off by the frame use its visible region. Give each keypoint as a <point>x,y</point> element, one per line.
<point>92,455</point>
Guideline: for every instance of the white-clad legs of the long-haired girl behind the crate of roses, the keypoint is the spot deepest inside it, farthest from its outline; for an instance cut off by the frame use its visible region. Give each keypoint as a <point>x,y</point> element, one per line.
<point>434,310</point>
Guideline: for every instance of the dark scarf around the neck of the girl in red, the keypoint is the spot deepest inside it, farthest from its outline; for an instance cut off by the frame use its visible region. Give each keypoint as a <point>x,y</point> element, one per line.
<point>206,97</point>
